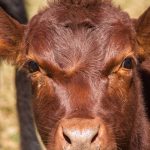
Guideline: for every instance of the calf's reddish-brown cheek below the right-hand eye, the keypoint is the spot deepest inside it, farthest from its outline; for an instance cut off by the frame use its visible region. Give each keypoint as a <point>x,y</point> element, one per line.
<point>123,104</point>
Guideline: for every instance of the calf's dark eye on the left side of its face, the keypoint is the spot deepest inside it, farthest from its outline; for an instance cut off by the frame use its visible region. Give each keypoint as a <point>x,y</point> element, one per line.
<point>32,66</point>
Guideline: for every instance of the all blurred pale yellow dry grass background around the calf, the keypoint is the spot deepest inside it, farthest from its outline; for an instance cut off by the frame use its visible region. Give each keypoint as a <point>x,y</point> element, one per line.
<point>9,130</point>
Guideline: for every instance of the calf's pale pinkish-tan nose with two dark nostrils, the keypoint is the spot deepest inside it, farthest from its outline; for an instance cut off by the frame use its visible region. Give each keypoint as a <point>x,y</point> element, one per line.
<point>80,134</point>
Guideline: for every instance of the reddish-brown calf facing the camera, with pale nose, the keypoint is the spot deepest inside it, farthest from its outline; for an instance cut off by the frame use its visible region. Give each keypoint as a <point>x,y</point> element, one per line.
<point>87,61</point>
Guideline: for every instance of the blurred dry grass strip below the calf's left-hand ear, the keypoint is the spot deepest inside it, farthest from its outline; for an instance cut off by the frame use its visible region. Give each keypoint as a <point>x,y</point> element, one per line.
<point>8,122</point>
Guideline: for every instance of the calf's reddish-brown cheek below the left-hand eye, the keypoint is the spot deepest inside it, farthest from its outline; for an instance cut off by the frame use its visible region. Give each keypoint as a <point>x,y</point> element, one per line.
<point>45,107</point>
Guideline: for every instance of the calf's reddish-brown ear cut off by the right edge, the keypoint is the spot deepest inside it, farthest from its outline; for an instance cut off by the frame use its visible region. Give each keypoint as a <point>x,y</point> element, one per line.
<point>143,32</point>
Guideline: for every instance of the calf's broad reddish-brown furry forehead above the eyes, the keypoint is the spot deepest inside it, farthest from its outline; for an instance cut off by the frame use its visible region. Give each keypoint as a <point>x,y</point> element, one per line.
<point>73,36</point>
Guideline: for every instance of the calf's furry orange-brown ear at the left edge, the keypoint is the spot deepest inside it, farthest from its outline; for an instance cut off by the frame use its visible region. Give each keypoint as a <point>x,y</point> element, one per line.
<point>11,36</point>
